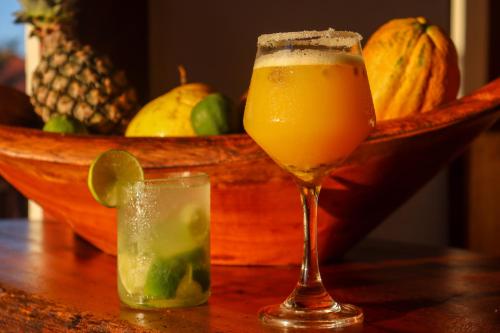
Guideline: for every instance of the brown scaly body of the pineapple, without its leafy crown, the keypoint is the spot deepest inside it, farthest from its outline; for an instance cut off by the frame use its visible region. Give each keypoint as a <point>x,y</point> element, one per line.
<point>76,81</point>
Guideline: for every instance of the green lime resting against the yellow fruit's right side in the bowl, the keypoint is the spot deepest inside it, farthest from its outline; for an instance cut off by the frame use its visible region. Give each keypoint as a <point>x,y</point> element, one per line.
<point>211,115</point>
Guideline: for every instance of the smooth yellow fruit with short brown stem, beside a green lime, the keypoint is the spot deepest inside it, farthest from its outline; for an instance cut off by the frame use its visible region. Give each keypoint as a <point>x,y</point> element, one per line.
<point>169,114</point>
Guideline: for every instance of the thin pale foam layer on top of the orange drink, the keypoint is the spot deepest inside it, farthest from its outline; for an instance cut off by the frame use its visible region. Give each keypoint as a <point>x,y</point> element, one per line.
<point>305,57</point>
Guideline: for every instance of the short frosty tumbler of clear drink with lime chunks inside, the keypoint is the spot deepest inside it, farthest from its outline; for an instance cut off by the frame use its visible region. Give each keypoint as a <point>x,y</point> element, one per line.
<point>163,255</point>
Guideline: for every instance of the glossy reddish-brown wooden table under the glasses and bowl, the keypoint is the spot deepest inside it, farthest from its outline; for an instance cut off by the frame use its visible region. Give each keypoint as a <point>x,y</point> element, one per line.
<point>51,281</point>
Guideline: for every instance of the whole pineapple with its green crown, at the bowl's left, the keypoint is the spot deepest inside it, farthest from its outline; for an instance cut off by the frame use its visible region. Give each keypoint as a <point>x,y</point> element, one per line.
<point>72,79</point>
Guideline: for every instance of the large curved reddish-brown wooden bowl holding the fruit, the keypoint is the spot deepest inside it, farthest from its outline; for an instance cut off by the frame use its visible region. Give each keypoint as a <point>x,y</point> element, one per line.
<point>256,214</point>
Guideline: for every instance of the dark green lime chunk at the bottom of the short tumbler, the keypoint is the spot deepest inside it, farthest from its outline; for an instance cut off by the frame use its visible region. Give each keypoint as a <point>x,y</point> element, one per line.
<point>164,276</point>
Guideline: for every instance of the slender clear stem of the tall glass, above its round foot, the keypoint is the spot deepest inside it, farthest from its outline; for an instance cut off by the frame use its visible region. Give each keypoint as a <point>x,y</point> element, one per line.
<point>310,292</point>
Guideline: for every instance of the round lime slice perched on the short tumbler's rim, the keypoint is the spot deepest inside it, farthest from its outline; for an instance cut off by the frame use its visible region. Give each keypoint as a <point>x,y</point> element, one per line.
<point>109,172</point>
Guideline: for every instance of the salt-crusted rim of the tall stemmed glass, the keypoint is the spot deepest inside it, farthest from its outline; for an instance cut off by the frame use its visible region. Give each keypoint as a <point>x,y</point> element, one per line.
<point>329,37</point>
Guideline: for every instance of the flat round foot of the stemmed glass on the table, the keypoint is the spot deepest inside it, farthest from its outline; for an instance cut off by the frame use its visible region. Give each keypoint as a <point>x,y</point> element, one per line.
<point>339,315</point>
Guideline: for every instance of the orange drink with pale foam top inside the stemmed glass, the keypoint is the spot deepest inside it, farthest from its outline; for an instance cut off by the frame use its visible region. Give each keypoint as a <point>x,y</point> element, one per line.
<point>308,109</point>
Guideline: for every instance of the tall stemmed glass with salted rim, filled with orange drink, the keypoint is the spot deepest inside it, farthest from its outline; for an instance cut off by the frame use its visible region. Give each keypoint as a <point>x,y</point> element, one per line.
<point>309,106</point>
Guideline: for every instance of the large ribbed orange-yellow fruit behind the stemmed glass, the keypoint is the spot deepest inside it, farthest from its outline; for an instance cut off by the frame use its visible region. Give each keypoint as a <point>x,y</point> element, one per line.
<point>412,67</point>
